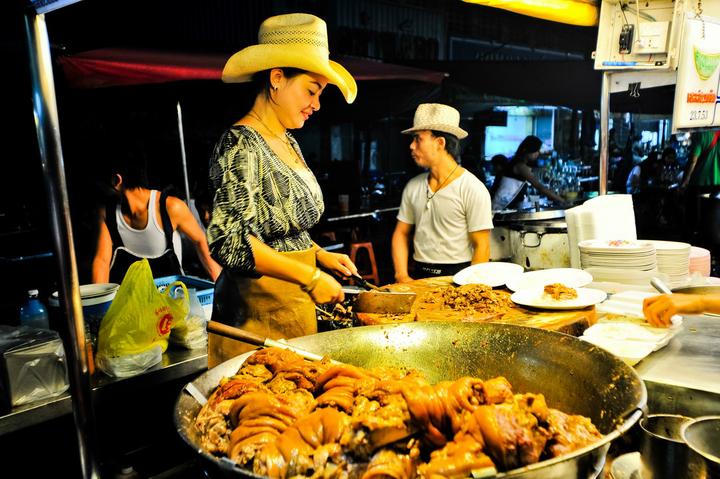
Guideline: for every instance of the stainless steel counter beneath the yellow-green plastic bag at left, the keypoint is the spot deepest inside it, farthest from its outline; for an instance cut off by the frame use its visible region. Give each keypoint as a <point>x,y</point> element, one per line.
<point>175,364</point>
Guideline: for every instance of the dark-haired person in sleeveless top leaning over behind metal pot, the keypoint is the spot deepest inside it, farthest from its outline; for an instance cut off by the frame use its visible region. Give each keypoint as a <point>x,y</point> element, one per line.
<point>517,174</point>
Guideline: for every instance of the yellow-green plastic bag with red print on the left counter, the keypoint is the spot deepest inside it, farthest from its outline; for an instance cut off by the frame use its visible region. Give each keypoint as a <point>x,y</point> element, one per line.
<point>134,332</point>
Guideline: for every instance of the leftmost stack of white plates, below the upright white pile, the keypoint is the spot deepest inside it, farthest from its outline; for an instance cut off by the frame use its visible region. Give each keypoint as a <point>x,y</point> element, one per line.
<point>620,261</point>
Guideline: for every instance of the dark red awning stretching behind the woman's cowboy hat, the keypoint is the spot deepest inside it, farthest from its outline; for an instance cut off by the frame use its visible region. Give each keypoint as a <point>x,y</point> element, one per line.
<point>117,66</point>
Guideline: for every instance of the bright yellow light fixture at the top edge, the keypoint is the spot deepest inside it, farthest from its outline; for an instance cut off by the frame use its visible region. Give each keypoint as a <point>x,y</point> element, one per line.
<point>583,13</point>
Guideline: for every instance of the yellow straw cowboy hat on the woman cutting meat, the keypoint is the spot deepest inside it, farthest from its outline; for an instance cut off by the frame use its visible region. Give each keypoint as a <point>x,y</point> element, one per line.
<point>297,40</point>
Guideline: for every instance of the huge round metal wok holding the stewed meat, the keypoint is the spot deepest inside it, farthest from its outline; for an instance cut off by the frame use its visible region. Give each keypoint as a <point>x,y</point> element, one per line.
<point>574,376</point>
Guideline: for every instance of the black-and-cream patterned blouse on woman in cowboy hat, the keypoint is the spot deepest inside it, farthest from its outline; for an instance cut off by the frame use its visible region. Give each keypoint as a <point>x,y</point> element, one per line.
<point>256,193</point>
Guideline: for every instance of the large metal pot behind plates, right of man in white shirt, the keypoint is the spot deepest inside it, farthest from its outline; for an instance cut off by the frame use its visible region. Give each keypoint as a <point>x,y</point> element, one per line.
<point>540,244</point>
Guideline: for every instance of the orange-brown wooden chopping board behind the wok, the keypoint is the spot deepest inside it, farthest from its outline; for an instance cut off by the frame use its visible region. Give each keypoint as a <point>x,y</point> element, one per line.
<point>573,322</point>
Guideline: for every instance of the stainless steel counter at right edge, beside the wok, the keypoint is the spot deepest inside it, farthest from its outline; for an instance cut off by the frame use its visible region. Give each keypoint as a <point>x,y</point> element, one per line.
<point>684,376</point>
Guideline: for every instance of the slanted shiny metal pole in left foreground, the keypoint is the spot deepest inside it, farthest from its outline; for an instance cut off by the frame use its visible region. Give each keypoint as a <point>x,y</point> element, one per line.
<point>48,134</point>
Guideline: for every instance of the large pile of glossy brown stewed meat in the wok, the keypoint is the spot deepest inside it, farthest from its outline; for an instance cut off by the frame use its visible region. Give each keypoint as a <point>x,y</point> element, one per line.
<point>282,416</point>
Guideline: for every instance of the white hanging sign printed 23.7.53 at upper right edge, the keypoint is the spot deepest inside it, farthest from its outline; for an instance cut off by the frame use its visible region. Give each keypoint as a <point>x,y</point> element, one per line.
<point>697,97</point>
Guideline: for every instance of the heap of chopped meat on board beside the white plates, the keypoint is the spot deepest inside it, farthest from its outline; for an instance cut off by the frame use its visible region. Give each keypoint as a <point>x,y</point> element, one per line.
<point>472,297</point>
